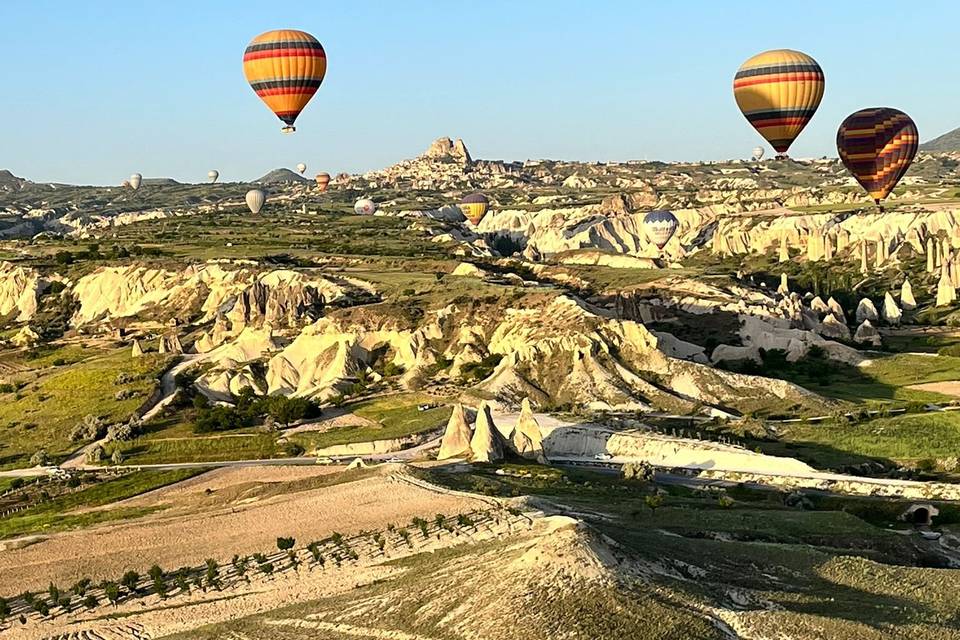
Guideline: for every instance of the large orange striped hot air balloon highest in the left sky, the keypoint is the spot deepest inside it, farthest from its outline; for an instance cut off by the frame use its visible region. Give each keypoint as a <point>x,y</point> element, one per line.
<point>285,68</point>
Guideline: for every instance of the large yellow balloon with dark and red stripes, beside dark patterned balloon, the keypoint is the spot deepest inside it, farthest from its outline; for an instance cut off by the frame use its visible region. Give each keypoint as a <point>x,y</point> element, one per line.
<point>779,91</point>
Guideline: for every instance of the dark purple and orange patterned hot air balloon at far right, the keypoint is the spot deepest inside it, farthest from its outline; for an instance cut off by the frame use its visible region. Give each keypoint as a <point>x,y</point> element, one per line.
<point>877,146</point>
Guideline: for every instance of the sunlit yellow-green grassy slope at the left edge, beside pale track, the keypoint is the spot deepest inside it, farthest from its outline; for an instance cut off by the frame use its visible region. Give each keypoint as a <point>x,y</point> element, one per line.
<point>55,397</point>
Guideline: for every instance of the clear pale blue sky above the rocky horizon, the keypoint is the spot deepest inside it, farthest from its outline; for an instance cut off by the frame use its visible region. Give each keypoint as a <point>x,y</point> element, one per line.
<point>97,90</point>
